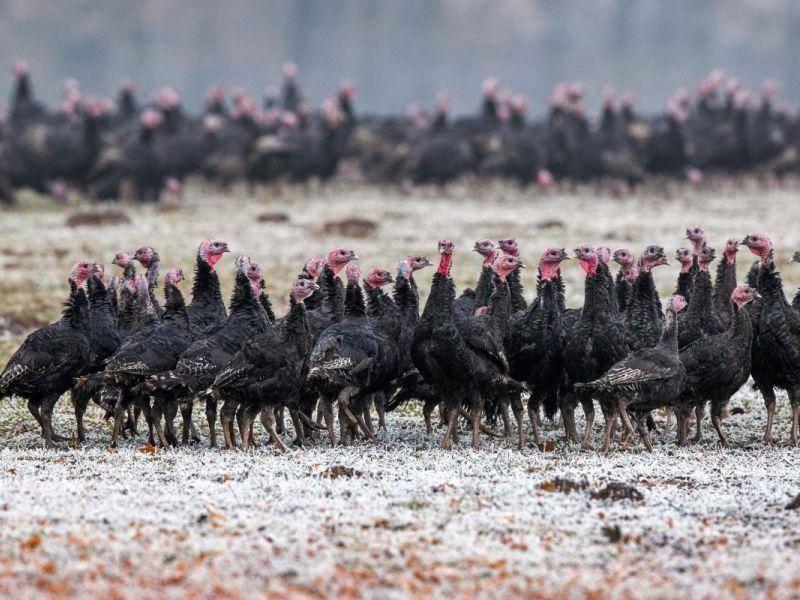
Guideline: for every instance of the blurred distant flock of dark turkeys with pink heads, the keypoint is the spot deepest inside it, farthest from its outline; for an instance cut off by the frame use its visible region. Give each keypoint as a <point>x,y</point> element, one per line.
<point>138,150</point>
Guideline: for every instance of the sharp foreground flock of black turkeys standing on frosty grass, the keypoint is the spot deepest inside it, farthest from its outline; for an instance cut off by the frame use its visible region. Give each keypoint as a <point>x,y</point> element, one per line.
<point>478,355</point>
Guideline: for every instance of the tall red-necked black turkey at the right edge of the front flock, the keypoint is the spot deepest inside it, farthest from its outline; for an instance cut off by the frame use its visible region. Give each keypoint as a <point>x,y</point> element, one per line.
<point>776,337</point>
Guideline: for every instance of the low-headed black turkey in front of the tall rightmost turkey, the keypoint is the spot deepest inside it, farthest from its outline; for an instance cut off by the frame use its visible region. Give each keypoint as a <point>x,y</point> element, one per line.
<point>717,367</point>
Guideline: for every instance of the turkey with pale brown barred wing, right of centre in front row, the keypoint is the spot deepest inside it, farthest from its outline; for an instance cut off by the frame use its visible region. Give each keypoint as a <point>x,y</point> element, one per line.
<point>647,379</point>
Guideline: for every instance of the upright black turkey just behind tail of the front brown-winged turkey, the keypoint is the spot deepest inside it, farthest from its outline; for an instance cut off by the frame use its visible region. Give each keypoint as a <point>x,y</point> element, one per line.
<point>592,345</point>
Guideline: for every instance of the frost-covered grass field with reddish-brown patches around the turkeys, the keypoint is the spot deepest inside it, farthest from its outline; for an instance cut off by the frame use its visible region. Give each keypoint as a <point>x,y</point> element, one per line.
<point>401,517</point>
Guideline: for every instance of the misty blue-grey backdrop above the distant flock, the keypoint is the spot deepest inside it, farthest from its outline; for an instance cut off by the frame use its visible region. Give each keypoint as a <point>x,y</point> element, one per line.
<point>398,52</point>
